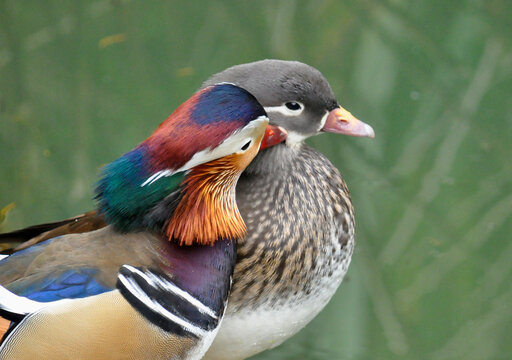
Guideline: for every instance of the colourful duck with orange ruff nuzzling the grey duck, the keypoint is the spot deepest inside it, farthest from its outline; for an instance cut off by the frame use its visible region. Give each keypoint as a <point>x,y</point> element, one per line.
<point>153,284</point>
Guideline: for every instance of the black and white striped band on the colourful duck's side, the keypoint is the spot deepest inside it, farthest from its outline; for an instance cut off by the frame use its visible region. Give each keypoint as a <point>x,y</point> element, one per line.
<point>159,300</point>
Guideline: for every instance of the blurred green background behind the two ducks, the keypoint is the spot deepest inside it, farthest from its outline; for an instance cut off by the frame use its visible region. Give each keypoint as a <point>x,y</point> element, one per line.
<point>82,82</point>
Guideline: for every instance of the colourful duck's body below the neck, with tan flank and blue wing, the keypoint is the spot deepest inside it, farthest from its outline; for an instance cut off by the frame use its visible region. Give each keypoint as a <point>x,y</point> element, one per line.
<point>86,313</point>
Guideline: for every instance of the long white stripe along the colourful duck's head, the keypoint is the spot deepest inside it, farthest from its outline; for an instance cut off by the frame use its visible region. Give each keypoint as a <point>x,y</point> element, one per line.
<point>229,146</point>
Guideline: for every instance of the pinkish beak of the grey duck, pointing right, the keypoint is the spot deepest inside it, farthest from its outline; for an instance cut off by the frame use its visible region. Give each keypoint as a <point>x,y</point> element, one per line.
<point>340,121</point>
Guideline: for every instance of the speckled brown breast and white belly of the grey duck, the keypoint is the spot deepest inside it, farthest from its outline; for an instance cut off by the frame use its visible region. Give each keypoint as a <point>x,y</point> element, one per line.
<point>300,241</point>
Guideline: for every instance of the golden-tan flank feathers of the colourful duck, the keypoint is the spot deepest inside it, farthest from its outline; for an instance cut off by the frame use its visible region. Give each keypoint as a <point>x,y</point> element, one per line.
<point>122,334</point>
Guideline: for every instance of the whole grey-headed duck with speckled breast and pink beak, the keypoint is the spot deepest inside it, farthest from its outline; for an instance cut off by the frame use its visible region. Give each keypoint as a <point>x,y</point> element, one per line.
<point>296,206</point>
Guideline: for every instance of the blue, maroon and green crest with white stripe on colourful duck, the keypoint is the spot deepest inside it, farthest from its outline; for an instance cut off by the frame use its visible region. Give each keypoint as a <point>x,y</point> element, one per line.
<point>197,131</point>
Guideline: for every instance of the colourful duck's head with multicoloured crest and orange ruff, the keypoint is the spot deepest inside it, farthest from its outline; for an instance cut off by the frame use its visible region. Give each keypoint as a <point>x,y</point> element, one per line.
<point>181,180</point>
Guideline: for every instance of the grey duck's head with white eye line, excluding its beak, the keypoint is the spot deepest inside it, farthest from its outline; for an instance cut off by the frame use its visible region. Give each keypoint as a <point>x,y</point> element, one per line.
<point>295,96</point>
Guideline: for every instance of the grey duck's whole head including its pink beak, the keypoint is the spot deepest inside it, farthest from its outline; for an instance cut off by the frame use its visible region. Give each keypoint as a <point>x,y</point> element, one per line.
<point>297,98</point>
